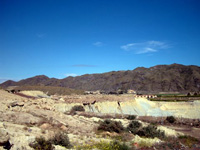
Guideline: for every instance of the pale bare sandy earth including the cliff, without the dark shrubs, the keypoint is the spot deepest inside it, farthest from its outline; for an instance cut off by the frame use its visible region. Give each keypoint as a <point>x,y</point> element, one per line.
<point>22,119</point>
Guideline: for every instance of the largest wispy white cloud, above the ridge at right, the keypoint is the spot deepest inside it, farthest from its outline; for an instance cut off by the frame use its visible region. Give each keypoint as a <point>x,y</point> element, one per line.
<point>145,47</point>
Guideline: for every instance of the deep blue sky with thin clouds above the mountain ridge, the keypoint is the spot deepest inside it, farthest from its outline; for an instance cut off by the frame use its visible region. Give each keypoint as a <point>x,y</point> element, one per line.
<point>59,38</point>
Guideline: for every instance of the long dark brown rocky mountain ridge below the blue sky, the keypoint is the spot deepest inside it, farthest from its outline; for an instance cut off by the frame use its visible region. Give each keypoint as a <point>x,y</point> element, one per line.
<point>160,78</point>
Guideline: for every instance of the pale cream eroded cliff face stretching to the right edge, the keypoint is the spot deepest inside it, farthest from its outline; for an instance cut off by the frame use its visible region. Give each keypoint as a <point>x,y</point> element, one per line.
<point>140,107</point>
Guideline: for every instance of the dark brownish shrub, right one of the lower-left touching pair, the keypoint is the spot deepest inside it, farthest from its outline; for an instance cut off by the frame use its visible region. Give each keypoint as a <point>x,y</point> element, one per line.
<point>61,139</point>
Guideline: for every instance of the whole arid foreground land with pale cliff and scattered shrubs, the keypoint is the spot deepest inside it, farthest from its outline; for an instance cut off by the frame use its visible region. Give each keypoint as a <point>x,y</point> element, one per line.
<point>33,120</point>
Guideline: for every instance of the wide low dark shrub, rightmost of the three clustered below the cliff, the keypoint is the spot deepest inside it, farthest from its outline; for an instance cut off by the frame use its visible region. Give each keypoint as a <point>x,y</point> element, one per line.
<point>151,131</point>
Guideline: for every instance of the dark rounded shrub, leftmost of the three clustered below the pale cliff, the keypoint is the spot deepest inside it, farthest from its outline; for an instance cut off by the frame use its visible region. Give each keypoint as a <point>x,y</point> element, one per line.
<point>111,126</point>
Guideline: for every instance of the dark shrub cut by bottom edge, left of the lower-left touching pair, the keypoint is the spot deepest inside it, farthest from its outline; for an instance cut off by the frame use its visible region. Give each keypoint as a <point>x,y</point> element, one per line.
<point>41,144</point>
